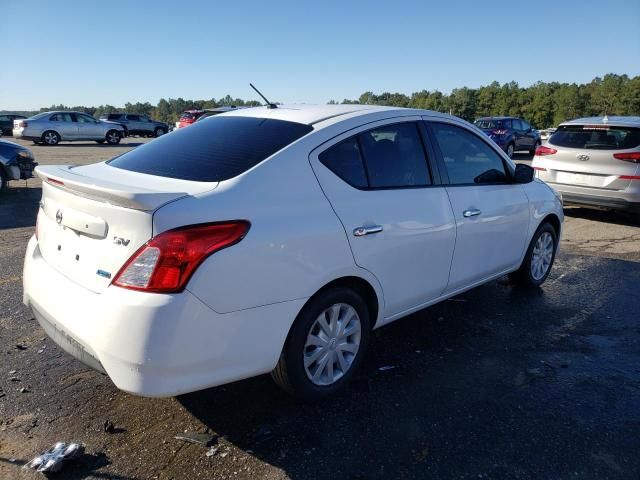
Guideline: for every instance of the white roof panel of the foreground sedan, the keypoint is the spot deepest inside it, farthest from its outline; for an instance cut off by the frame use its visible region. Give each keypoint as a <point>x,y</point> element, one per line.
<point>313,114</point>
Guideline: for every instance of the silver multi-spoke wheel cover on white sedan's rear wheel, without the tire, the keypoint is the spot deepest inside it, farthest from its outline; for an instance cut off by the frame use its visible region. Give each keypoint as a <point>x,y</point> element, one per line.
<point>332,344</point>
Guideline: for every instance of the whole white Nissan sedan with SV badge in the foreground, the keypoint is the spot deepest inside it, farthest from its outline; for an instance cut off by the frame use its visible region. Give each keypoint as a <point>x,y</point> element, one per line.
<point>275,240</point>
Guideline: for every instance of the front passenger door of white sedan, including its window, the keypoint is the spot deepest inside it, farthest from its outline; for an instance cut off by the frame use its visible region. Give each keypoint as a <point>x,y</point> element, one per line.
<point>491,213</point>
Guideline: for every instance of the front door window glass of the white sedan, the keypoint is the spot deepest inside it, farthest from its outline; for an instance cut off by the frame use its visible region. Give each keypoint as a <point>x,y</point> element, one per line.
<point>468,159</point>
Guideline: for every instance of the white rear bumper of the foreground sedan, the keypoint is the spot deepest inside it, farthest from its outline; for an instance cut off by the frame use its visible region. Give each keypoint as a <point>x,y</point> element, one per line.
<point>150,344</point>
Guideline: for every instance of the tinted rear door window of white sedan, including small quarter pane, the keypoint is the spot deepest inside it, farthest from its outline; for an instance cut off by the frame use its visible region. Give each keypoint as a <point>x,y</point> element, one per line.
<point>387,157</point>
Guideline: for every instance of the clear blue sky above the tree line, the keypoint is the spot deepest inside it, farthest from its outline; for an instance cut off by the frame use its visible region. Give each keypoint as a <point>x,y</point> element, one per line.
<point>97,52</point>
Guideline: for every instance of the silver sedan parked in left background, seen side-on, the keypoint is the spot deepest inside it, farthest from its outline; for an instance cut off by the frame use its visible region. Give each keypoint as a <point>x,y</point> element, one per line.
<point>51,128</point>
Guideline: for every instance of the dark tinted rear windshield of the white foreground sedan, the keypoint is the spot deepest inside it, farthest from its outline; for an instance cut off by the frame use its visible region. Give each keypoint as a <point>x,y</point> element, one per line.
<point>212,151</point>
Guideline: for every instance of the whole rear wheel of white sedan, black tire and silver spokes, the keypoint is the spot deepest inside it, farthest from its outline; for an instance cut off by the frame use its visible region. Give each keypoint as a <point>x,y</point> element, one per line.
<point>353,316</point>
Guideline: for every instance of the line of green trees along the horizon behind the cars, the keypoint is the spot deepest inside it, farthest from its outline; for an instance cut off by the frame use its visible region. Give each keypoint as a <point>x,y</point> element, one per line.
<point>544,104</point>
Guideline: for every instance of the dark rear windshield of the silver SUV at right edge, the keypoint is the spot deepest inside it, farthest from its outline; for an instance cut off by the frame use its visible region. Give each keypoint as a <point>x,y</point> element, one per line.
<point>603,137</point>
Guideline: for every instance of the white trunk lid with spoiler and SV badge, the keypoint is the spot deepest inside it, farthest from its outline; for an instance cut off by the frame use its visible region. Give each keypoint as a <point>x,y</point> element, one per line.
<point>93,218</point>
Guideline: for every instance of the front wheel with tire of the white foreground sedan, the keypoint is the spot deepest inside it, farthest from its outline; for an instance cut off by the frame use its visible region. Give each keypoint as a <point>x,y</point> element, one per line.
<point>528,275</point>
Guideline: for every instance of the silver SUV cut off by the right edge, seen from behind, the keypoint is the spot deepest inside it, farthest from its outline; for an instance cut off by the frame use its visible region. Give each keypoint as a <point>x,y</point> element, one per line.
<point>594,161</point>
